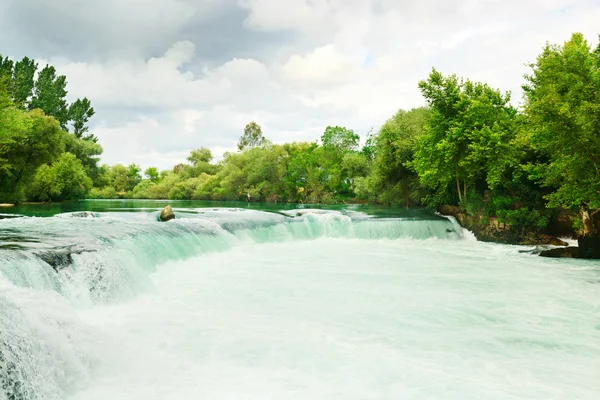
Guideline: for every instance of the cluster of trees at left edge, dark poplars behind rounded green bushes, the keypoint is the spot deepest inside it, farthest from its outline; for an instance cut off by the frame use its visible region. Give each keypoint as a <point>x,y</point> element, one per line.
<point>46,152</point>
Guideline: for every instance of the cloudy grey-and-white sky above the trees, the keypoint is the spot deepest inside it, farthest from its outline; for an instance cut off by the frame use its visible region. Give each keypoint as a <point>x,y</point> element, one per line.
<point>169,76</point>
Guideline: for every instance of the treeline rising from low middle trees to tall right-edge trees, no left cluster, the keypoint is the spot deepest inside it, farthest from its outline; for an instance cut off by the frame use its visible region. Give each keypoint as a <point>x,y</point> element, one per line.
<point>470,146</point>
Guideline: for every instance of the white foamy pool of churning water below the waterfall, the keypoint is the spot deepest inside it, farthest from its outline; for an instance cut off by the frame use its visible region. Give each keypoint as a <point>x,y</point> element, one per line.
<point>353,319</point>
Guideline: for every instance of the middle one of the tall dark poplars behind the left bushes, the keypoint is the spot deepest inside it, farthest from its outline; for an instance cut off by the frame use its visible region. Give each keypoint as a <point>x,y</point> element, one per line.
<point>49,95</point>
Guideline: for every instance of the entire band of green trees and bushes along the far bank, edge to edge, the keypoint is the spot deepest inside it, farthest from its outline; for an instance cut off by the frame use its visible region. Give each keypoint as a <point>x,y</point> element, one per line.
<point>469,147</point>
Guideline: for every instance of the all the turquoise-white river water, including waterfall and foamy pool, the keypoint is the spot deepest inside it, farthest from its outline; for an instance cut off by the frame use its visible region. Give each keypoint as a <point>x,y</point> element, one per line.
<point>282,303</point>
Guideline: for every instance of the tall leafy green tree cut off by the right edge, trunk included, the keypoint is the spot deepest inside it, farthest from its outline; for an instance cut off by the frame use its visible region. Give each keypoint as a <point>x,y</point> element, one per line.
<point>562,97</point>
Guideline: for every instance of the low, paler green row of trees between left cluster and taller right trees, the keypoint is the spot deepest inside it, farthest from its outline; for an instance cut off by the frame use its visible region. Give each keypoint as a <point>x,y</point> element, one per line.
<point>296,172</point>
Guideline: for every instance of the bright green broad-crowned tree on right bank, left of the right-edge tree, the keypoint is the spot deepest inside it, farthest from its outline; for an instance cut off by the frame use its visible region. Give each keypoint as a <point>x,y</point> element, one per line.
<point>467,139</point>
